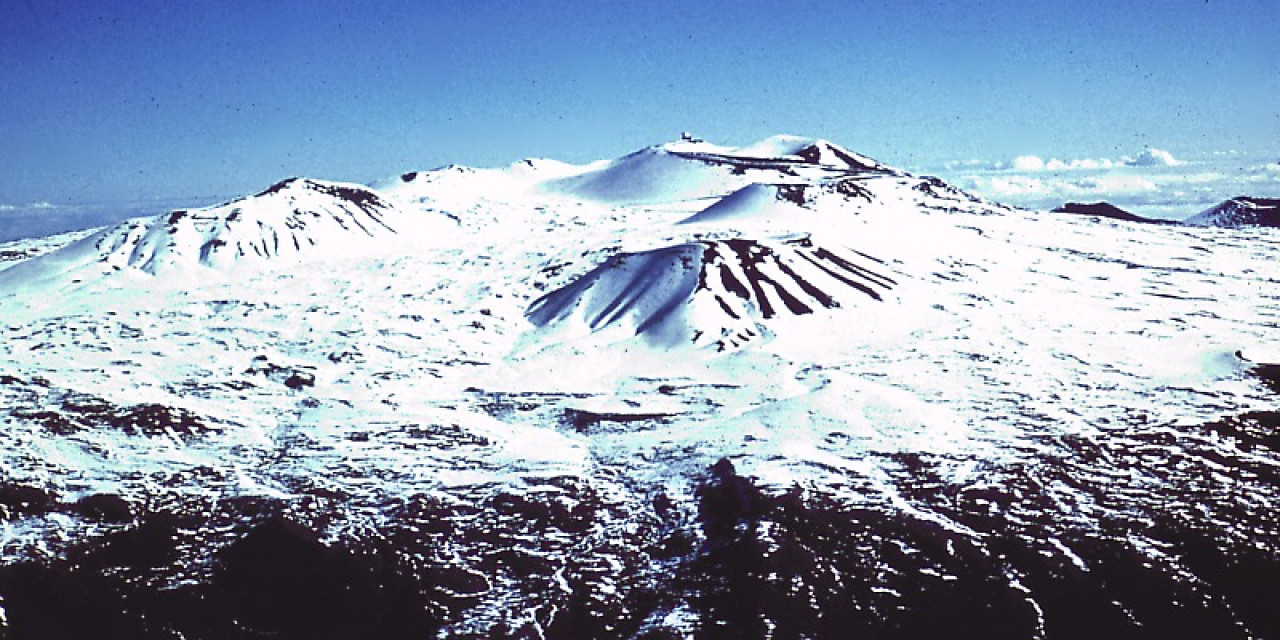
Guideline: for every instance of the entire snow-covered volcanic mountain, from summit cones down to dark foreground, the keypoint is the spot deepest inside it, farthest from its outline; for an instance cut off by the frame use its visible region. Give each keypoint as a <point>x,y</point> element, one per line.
<point>779,390</point>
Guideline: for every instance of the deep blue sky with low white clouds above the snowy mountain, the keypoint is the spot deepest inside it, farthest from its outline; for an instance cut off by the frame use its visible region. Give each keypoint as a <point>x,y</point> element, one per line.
<point>150,99</point>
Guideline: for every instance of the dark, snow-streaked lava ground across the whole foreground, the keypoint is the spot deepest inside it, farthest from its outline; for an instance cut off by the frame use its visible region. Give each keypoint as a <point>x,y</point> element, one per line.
<point>1150,532</point>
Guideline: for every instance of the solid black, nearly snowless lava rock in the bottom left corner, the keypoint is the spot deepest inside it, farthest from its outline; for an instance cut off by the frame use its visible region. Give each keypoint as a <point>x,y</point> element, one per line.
<point>277,582</point>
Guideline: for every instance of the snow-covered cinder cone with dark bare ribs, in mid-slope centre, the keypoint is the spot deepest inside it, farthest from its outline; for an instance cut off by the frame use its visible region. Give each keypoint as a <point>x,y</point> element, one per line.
<point>716,294</point>
